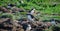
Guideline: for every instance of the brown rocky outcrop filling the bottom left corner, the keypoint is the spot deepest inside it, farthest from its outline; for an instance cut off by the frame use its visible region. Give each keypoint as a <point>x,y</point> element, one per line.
<point>7,24</point>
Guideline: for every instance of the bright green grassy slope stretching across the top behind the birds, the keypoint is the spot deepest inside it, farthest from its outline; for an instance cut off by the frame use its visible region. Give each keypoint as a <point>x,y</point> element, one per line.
<point>43,6</point>
